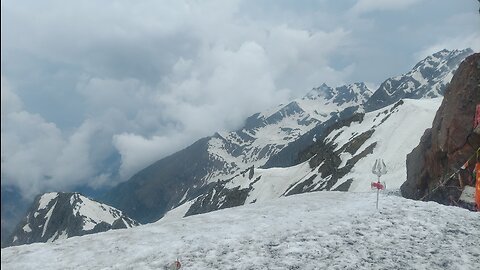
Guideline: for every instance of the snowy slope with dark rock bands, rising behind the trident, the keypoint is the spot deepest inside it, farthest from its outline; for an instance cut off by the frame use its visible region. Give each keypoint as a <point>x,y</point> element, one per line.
<point>341,159</point>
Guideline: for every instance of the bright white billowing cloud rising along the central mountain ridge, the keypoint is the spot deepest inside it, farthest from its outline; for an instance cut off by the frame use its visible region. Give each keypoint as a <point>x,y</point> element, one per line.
<point>222,86</point>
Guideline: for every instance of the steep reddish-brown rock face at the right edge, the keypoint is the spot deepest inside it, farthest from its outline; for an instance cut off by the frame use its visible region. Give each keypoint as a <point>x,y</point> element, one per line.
<point>445,147</point>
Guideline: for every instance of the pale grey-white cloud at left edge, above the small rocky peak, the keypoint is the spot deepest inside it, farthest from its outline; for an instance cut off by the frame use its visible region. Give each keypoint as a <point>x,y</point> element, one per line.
<point>37,156</point>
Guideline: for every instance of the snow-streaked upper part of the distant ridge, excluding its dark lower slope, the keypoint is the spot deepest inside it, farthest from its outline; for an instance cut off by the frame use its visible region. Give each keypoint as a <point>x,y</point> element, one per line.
<point>265,134</point>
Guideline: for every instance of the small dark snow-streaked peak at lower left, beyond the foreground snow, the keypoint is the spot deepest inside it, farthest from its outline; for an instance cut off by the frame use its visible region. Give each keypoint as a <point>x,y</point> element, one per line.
<point>57,215</point>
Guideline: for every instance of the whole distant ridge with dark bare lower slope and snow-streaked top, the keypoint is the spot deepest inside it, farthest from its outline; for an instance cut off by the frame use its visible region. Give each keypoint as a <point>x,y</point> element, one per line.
<point>184,175</point>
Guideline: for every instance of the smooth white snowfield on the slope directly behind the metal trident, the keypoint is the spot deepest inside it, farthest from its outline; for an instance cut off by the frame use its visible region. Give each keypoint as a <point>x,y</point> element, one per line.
<point>396,137</point>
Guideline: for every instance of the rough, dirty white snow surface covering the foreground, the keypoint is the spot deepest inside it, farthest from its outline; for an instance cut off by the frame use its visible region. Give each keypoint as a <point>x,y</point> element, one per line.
<point>319,230</point>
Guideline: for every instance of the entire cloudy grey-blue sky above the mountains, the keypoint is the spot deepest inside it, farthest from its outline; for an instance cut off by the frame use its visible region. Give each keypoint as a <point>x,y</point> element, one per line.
<point>93,91</point>
